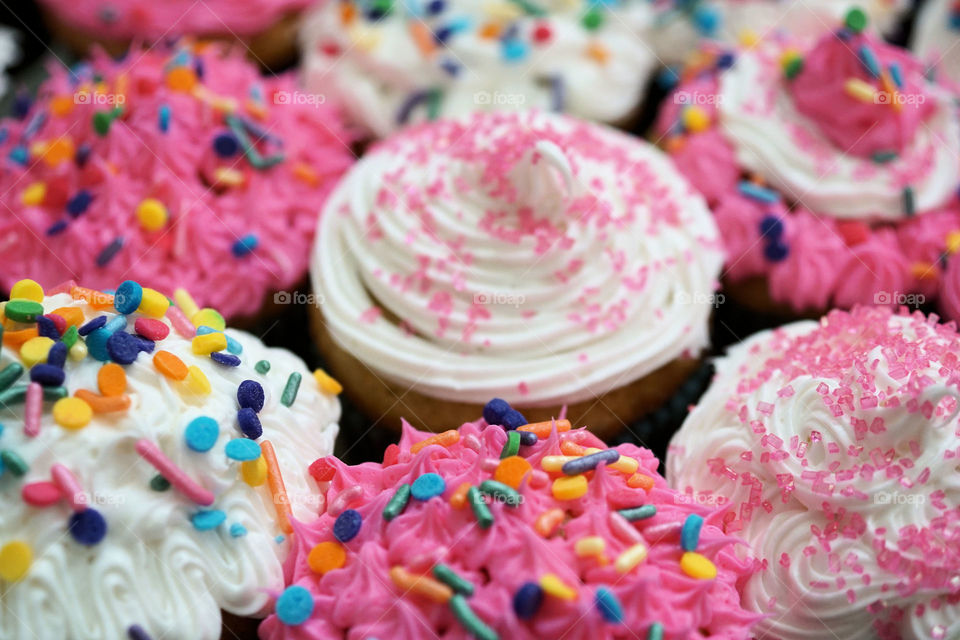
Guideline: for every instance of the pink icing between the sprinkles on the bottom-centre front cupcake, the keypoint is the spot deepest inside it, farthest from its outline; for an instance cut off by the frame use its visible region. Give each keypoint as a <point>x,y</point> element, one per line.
<point>360,601</point>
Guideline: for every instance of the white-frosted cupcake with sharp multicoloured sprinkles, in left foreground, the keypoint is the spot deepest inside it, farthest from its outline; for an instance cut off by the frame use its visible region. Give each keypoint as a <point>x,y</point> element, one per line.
<point>150,469</point>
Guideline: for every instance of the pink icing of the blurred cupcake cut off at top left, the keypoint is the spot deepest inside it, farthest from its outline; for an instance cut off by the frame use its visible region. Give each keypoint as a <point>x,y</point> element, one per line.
<point>156,19</point>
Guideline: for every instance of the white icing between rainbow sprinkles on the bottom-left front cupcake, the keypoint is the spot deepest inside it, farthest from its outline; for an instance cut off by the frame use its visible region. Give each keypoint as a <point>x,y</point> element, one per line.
<point>154,568</point>
